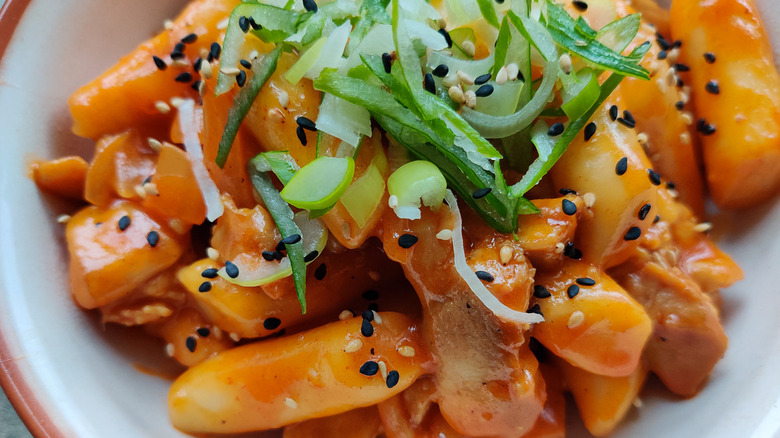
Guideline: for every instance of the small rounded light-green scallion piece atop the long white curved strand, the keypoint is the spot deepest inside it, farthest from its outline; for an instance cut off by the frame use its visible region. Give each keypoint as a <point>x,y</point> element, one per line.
<point>413,183</point>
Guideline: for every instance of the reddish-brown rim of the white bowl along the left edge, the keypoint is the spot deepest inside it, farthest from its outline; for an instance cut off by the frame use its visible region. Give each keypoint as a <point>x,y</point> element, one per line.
<point>19,391</point>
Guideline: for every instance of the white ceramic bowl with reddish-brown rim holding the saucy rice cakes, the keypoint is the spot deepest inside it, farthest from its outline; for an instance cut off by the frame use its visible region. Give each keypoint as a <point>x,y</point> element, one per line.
<point>68,376</point>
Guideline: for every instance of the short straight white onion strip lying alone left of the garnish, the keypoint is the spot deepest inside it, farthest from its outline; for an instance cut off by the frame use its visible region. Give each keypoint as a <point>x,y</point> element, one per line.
<point>192,145</point>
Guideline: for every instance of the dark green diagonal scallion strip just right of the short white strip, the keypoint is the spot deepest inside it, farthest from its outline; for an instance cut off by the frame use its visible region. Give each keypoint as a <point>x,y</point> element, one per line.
<point>261,71</point>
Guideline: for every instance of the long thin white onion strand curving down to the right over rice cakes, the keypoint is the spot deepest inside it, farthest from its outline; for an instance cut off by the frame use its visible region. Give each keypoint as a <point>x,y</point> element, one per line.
<point>498,308</point>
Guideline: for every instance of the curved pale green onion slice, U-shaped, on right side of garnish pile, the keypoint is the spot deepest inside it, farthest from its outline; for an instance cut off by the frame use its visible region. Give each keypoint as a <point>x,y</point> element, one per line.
<point>504,126</point>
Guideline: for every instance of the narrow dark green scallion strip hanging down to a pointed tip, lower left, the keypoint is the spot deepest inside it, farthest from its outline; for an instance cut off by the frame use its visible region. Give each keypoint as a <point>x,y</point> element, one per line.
<point>283,217</point>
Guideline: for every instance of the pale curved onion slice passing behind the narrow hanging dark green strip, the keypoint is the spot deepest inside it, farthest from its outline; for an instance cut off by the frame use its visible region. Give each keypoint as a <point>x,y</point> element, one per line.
<point>314,237</point>
